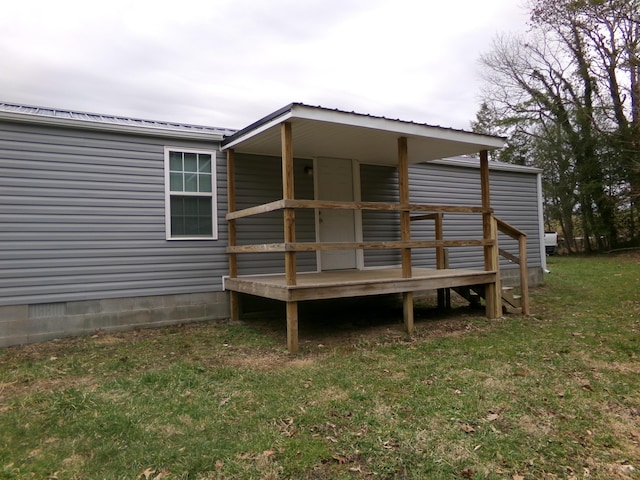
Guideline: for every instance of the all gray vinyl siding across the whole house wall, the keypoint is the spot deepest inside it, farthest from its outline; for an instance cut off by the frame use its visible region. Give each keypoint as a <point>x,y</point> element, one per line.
<point>82,216</point>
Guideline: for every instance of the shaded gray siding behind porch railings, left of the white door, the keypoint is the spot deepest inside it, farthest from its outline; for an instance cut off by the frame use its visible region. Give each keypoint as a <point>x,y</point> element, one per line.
<point>259,181</point>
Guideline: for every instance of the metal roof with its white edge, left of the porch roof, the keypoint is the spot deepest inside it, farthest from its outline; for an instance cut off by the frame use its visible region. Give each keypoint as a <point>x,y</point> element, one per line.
<point>54,116</point>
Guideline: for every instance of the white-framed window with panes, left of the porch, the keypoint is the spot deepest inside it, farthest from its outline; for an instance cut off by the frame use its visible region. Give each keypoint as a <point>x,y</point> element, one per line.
<point>190,201</point>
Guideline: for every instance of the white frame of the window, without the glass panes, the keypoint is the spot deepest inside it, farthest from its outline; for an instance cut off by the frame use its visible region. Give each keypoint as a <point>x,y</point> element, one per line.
<point>168,194</point>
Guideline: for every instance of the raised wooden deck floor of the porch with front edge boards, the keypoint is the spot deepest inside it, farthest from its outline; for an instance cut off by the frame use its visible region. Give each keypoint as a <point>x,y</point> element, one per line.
<point>355,283</point>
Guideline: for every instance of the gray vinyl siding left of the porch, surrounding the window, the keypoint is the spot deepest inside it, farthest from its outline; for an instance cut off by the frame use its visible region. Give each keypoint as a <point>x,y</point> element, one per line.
<point>83,217</point>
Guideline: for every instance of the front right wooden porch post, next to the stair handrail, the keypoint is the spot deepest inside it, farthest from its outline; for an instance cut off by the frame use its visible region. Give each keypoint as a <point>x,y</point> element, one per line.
<point>493,292</point>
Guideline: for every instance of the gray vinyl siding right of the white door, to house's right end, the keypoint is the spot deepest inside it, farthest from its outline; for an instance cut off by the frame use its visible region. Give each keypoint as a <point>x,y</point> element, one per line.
<point>514,198</point>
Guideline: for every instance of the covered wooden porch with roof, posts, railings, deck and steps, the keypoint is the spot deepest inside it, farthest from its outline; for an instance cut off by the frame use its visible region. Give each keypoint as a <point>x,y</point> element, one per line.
<point>330,134</point>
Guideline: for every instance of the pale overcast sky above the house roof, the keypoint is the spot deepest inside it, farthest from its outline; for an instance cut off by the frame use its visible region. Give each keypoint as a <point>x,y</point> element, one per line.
<point>227,63</point>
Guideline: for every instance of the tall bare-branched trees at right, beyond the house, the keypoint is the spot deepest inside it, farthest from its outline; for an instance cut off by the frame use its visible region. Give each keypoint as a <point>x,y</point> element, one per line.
<point>567,97</point>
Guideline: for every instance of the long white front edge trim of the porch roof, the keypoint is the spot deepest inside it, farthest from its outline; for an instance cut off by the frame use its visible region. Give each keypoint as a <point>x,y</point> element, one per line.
<point>397,126</point>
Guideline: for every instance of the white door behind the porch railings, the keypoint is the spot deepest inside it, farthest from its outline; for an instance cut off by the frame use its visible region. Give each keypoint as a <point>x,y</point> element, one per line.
<point>334,181</point>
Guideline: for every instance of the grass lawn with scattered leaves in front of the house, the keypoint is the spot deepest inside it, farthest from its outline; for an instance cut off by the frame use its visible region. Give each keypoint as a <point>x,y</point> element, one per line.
<point>555,395</point>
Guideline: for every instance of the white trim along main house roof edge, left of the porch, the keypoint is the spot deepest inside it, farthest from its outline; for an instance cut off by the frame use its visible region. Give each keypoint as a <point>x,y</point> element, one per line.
<point>89,125</point>
